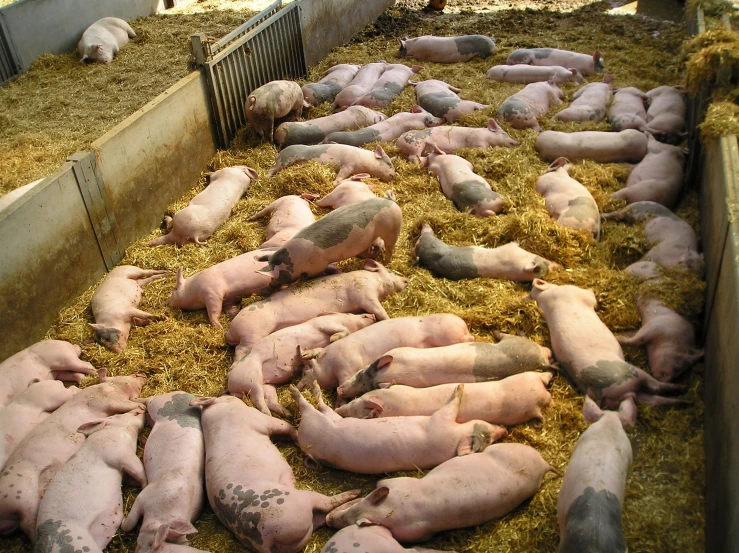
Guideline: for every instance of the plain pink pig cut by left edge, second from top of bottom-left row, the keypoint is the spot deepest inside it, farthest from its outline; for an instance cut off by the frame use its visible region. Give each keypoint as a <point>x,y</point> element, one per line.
<point>27,410</point>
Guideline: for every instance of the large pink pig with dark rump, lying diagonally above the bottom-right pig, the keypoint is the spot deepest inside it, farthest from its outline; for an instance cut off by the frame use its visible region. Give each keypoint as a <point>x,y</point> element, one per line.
<point>590,353</point>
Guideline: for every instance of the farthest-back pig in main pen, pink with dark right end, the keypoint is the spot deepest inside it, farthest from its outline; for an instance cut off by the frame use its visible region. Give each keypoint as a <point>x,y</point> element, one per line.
<point>448,49</point>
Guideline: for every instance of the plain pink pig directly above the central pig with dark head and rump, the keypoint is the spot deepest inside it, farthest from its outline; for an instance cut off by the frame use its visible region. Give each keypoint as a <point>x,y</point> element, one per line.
<point>337,363</point>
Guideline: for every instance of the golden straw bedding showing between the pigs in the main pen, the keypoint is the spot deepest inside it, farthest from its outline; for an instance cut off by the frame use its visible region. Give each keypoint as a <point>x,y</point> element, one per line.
<point>663,510</point>
